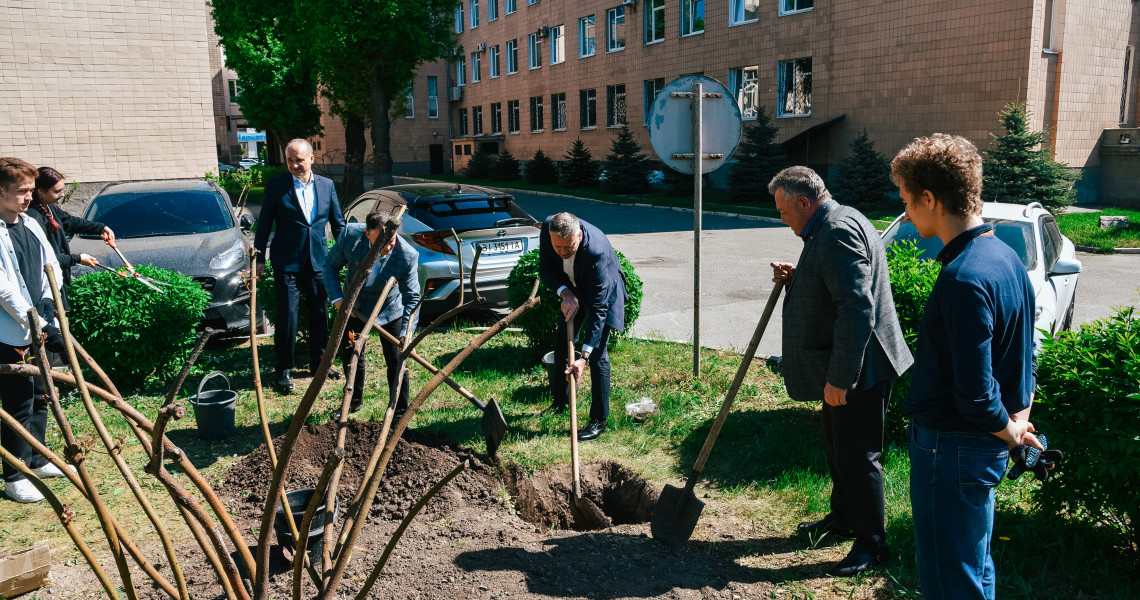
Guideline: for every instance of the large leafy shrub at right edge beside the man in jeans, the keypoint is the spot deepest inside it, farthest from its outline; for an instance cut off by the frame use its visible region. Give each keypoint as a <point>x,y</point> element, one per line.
<point>1088,404</point>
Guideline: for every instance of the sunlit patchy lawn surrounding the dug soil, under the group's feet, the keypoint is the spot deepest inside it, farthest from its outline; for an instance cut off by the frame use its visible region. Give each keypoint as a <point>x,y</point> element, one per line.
<point>767,474</point>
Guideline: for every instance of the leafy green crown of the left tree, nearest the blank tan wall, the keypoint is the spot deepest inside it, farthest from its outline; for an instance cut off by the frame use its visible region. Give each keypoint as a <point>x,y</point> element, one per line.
<point>279,82</point>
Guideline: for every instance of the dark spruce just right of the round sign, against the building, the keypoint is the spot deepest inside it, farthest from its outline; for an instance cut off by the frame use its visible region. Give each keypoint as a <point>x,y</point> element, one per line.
<point>759,160</point>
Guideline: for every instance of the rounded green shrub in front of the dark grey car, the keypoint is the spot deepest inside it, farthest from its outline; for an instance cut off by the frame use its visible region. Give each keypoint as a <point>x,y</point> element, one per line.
<point>133,331</point>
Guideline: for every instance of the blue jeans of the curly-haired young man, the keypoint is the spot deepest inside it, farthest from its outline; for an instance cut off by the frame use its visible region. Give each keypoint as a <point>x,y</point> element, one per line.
<point>954,476</point>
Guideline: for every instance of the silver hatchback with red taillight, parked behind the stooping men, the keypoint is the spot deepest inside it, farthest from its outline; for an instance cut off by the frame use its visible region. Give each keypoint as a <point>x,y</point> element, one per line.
<point>482,218</point>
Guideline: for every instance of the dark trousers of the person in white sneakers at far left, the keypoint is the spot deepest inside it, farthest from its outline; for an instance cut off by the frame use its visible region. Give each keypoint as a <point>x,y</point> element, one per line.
<point>30,409</point>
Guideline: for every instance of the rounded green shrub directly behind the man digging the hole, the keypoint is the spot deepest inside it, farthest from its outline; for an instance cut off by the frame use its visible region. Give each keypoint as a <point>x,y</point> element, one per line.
<point>540,323</point>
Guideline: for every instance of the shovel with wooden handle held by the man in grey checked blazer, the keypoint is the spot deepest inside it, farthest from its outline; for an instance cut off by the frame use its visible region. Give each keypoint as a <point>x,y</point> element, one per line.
<point>678,510</point>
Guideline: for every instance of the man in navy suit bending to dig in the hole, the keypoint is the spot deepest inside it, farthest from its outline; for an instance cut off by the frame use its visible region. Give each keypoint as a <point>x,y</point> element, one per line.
<point>577,262</point>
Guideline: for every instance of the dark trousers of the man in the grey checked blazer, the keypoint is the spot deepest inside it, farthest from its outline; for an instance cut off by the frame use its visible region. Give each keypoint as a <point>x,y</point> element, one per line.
<point>853,442</point>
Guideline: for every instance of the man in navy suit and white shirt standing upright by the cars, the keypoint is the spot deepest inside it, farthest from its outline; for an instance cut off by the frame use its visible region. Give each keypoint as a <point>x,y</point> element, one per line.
<point>298,207</point>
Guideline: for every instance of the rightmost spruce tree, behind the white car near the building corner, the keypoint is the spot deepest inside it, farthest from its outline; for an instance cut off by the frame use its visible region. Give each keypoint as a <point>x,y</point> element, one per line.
<point>1020,167</point>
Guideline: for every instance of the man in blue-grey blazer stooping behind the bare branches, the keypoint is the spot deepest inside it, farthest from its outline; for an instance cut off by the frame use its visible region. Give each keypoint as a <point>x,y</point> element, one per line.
<point>397,260</point>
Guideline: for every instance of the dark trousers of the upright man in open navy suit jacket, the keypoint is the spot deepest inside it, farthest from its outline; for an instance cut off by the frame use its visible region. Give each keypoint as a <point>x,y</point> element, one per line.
<point>289,288</point>
